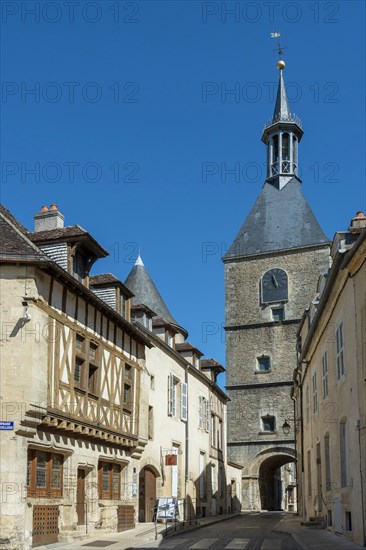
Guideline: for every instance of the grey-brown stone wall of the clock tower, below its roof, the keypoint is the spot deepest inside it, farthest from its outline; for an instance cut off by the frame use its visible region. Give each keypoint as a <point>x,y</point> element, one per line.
<point>250,334</point>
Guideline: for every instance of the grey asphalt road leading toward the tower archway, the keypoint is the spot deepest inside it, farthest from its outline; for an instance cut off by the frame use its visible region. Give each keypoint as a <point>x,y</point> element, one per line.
<point>249,532</point>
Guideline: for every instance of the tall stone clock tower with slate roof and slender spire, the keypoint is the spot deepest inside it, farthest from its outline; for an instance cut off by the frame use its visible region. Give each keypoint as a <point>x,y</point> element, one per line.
<point>271,274</point>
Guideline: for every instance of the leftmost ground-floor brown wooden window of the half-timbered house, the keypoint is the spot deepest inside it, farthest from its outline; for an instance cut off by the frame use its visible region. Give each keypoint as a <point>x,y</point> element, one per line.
<point>44,474</point>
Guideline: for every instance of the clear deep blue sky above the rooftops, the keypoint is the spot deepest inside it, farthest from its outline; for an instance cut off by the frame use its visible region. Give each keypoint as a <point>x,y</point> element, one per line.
<point>135,92</point>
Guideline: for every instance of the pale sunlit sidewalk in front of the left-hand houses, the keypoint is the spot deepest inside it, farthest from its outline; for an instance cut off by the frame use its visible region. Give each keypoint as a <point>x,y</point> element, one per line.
<point>145,532</point>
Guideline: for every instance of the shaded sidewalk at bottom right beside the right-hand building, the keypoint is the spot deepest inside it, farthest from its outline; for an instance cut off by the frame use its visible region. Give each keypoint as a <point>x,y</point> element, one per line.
<point>310,538</point>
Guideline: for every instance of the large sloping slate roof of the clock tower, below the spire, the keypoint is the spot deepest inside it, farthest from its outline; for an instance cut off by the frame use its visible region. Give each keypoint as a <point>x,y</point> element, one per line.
<point>279,220</point>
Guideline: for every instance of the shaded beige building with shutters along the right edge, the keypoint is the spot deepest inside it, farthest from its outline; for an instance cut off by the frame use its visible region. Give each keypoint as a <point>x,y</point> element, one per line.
<point>330,390</point>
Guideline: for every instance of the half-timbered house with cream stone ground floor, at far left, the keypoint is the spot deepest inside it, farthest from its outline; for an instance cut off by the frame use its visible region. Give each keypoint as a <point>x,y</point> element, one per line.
<point>71,369</point>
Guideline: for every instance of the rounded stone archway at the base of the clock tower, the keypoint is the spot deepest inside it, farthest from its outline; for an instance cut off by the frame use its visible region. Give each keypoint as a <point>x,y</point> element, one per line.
<point>266,484</point>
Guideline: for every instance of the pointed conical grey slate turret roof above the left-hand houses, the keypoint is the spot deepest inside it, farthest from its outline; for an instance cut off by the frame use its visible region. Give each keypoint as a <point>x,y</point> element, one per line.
<point>145,292</point>
